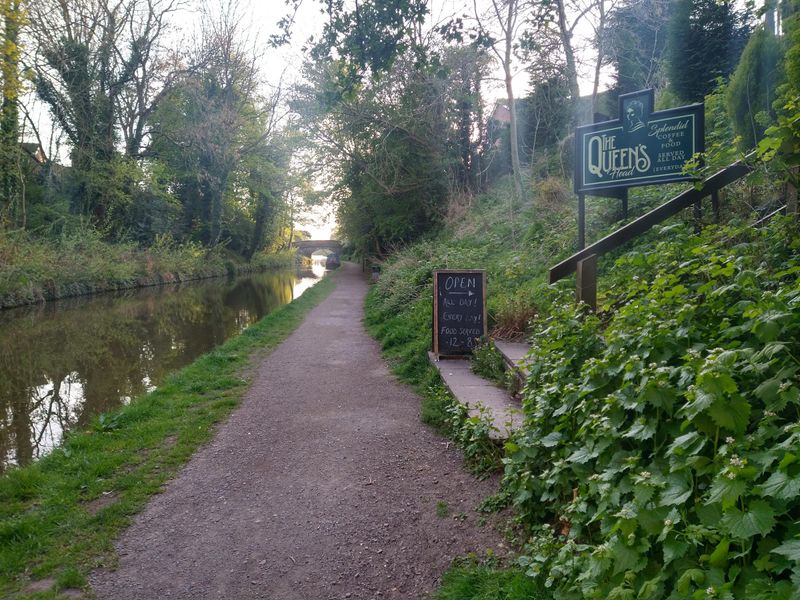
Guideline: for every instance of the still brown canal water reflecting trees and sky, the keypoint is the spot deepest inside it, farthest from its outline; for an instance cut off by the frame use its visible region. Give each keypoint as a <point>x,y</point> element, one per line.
<point>63,362</point>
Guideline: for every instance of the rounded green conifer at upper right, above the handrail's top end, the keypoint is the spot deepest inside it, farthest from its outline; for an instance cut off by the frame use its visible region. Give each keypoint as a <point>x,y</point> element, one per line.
<point>753,85</point>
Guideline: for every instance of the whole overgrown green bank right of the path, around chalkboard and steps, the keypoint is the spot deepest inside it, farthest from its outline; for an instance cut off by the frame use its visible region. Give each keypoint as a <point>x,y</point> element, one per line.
<point>657,457</point>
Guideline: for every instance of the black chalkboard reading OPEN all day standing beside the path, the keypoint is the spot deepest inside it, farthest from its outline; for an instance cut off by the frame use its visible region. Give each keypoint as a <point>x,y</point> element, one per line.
<point>459,311</point>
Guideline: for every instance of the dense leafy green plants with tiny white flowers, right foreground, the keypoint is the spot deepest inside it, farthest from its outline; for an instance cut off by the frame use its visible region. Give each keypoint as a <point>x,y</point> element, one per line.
<point>662,442</point>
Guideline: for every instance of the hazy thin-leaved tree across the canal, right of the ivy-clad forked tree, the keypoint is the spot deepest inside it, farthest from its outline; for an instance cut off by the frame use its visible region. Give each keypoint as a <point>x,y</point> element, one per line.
<point>212,128</point>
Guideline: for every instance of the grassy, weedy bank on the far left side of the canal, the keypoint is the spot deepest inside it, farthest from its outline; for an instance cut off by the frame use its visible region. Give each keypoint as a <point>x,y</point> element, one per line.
<point>36,269</point>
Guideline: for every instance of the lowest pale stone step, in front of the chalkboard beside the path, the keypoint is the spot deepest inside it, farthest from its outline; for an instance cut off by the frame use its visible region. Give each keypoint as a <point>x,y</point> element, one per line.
<point>473,391</point>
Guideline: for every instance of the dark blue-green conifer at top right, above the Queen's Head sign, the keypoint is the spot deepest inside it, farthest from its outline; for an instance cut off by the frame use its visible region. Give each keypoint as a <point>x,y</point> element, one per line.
<point>706,38</point>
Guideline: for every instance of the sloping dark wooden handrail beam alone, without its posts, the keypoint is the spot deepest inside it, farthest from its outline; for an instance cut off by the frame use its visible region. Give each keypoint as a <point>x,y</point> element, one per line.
<point>639,226</point>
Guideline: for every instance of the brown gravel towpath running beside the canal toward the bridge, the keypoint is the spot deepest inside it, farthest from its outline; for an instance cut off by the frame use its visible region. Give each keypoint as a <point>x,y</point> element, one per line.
<point>323,484</point>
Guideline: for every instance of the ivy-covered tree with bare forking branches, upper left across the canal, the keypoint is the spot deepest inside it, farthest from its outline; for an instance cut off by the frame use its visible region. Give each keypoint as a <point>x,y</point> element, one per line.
<point>87,55</point>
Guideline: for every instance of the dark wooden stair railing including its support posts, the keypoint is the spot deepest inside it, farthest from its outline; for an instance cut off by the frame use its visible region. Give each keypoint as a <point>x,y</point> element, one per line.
<point>692,197</point>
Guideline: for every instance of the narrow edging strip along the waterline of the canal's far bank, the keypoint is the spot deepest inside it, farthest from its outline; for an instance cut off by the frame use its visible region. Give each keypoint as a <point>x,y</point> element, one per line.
<point>50,290</point>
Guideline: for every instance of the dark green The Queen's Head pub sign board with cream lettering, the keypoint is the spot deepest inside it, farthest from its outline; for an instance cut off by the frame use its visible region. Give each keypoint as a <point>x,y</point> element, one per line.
<point>642,147</point>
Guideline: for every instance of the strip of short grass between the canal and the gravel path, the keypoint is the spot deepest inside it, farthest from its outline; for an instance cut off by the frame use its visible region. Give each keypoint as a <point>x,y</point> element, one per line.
<point>59,516</point>
